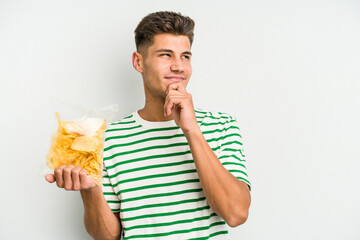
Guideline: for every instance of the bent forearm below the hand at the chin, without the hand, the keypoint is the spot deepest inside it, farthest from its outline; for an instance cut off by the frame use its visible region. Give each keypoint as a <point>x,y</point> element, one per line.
<point>227,196</point>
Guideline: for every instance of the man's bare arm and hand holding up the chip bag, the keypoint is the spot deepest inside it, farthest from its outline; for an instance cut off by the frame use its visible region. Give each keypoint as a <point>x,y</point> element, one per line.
<point>99,220</point>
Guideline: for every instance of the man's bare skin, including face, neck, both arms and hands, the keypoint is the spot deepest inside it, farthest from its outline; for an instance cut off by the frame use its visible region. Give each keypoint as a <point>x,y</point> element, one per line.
<point>165,67</point>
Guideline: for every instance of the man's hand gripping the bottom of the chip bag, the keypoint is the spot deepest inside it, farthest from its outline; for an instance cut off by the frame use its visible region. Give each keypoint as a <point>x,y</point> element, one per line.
<point>71,178</point>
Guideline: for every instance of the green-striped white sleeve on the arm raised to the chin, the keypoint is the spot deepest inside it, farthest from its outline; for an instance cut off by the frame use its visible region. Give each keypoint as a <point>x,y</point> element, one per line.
<point>231,153</point>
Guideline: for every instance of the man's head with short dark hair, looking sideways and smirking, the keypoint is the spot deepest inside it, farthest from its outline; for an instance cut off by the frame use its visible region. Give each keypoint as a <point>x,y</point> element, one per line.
<point>163,56</point>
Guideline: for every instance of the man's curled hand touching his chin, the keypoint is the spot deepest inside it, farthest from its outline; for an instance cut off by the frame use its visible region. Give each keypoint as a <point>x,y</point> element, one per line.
<point>179,103</point>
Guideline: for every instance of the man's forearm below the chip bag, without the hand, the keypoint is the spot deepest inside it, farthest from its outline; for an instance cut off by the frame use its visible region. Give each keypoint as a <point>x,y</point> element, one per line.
<point>100,221</point>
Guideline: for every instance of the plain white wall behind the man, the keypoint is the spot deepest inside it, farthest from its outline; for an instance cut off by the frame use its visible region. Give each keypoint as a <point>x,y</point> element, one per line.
<point>288,70</point>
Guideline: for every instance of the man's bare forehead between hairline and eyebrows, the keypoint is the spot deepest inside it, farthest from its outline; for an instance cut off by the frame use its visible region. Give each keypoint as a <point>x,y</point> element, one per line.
<point>176,43</point>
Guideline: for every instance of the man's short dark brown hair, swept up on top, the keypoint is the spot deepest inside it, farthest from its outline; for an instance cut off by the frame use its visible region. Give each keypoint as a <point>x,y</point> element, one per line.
<point>163,22</point>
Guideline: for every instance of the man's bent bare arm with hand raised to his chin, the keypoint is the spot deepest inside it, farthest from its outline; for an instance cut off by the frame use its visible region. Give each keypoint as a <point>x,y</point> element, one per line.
<point>227,196</point>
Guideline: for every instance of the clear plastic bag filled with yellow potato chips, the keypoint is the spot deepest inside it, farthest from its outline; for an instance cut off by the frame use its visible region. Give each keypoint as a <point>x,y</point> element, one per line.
<point>78,143</point>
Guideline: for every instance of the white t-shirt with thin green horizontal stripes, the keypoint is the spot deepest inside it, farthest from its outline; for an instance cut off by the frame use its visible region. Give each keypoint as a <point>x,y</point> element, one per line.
<point>151,179</point>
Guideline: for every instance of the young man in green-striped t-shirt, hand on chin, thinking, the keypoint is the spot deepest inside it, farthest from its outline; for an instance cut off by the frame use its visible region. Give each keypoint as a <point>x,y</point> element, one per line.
<point>170,171</point>
